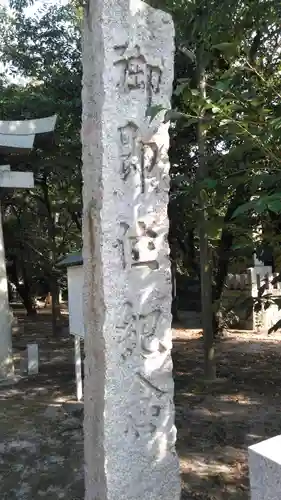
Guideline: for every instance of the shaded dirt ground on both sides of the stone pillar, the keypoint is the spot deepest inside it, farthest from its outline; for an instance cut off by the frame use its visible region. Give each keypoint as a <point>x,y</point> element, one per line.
<point>41,443</point>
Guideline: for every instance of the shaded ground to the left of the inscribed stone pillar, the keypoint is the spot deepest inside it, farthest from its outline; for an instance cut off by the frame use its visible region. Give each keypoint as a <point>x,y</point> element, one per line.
<point>41,444</point>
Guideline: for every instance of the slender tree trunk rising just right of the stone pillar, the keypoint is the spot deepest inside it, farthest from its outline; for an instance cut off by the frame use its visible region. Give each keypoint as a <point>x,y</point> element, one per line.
<point>205,253</point>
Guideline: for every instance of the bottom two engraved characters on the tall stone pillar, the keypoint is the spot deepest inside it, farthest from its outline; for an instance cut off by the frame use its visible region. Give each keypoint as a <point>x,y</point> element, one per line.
<point>150,405</point>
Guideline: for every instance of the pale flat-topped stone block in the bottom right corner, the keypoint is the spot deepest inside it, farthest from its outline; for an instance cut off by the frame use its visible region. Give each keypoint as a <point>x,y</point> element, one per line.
<point>265,469</point>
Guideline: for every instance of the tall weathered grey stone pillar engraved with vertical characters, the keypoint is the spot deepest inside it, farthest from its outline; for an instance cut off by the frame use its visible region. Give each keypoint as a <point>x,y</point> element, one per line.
<point>129,412</point>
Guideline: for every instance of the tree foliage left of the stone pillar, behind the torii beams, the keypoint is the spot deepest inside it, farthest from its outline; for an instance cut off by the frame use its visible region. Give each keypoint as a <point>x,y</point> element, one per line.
<point>43,224</point>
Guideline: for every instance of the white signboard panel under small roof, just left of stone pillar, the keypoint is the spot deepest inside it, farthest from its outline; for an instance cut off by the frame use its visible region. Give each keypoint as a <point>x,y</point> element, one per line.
<point>75,279</point>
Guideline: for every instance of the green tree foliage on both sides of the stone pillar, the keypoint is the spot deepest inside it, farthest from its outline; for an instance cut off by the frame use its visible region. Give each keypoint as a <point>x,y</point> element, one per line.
<point>240,118</point>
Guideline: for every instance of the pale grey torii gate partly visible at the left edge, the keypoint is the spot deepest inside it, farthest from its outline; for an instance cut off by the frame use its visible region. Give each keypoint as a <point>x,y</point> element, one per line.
<point>15,137</point>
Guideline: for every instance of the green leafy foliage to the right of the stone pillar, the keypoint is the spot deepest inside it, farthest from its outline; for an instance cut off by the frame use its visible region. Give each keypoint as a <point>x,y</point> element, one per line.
<point>238,52</point>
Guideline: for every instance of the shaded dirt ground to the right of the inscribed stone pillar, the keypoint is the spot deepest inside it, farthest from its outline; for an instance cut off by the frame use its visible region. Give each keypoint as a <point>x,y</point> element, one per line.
<point>217,423</point>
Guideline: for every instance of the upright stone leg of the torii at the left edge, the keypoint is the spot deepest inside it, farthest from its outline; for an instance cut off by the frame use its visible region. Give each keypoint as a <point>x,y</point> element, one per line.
<point>6,356</point>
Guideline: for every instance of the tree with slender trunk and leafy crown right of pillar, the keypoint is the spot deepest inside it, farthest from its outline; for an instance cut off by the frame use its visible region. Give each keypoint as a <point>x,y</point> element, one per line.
<point>222,138</point>
